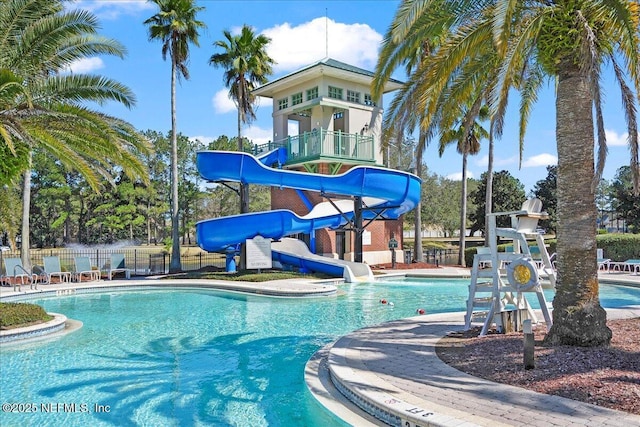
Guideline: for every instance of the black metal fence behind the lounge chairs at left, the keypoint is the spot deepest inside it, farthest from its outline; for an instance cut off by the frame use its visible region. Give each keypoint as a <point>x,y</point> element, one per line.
<point>141,262</point>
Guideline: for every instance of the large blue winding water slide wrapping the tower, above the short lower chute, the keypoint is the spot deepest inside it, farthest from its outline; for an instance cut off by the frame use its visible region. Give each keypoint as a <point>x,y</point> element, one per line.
<point>397,192</point>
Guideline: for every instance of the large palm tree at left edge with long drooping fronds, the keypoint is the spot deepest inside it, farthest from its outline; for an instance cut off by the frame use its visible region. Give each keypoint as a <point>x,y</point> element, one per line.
<point>40,106</point>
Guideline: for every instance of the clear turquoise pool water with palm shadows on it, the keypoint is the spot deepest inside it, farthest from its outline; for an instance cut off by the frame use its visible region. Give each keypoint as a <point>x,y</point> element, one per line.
<point>203,357</point>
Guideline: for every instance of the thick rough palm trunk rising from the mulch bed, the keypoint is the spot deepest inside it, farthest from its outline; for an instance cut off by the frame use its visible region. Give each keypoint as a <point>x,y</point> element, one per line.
<point>578,318</point>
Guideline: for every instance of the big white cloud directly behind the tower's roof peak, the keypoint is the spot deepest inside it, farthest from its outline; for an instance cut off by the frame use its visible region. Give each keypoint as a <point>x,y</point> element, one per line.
<point>294,47</point>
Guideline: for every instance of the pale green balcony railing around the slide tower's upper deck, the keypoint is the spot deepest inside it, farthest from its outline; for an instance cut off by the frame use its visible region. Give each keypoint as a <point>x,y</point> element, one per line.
<point>323,144</point>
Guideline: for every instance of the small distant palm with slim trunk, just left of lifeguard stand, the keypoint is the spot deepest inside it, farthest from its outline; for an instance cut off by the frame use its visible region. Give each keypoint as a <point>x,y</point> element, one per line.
<point>466,143</point>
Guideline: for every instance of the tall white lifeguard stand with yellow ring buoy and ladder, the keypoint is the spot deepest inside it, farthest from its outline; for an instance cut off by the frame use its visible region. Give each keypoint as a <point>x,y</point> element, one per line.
<point>502,278</point>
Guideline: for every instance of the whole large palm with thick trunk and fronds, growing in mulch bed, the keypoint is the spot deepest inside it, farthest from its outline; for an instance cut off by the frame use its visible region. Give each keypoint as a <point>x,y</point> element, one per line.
<point>533,41</point>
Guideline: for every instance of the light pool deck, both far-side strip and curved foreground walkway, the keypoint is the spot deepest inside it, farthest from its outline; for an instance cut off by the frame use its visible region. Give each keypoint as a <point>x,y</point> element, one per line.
<point>392,369</point>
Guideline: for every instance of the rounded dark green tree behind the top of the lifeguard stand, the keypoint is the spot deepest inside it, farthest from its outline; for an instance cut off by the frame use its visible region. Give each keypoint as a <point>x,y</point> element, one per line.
<point>508,195</point>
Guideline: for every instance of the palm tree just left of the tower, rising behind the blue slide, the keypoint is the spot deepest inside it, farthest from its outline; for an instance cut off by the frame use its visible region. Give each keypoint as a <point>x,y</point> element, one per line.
<point>247,65</point>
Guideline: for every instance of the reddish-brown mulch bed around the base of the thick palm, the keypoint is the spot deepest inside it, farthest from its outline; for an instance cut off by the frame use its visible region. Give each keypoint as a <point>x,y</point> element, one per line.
<point>604,376</point>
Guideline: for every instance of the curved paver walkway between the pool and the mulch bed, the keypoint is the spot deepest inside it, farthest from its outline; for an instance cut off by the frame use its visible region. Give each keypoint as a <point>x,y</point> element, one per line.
<point>394,367</point>
